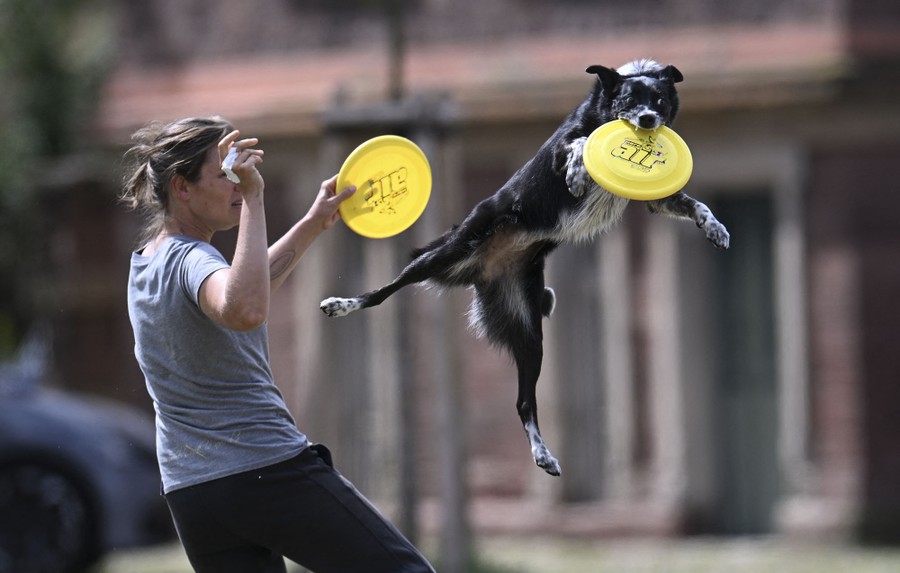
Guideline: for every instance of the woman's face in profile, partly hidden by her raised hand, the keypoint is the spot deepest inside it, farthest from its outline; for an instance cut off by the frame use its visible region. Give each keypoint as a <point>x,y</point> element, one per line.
<point>215,201</point>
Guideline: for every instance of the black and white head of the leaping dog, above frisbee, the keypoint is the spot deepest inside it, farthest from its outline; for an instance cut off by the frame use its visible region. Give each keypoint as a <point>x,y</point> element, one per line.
<point>641,92</point>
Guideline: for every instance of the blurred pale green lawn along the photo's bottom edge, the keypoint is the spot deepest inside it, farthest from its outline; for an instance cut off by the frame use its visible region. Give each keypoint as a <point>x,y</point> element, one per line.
<point>542,555</point>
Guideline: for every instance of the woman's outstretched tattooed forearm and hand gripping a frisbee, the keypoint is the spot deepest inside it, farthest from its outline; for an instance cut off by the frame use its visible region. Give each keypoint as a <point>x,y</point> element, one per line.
<point>285,253</point>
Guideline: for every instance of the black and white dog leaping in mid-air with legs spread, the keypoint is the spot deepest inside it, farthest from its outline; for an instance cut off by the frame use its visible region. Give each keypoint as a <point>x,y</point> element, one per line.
<point>500,247</point>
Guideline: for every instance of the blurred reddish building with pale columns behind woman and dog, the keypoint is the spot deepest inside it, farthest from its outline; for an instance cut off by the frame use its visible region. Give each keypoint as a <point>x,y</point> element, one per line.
<point>684,389</point>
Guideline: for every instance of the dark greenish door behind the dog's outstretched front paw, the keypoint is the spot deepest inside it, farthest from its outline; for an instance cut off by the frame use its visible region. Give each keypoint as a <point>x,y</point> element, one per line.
<point>745,388</point>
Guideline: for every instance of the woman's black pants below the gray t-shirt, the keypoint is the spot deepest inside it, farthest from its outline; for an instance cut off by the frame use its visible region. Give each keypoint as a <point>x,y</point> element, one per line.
<point>301,509</point>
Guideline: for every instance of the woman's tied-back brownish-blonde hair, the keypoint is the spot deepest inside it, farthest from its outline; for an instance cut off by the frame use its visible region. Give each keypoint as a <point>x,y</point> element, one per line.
<point>159,152</point>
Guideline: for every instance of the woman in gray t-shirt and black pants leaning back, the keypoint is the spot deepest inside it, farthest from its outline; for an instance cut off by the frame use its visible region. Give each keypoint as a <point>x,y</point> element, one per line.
<point>244,485</point>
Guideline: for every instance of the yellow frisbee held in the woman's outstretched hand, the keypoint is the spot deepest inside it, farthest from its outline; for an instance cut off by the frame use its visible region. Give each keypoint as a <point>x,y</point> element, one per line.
<point>393,184</point>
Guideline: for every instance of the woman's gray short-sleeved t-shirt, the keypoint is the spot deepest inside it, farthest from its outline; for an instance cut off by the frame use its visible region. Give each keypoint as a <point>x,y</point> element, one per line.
<point>218,411</point>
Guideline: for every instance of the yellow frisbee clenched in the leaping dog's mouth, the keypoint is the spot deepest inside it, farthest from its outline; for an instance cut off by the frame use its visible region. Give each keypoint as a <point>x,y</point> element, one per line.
<point>637,163</point>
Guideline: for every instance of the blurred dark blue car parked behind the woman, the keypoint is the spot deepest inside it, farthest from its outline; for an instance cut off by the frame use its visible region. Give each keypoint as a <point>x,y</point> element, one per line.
<point>78,478</point>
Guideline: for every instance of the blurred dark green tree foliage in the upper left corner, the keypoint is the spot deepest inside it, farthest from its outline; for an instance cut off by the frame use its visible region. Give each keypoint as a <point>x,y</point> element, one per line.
<point>53,54</point>
